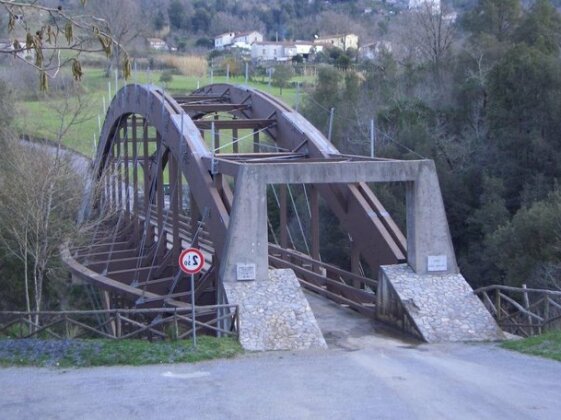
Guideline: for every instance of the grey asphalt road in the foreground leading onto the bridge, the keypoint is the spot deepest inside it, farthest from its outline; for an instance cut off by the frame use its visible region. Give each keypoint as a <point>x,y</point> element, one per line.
<point>364,375</point>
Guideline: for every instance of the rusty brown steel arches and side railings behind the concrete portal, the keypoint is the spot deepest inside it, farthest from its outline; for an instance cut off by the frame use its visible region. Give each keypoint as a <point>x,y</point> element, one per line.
<point>147,130</point>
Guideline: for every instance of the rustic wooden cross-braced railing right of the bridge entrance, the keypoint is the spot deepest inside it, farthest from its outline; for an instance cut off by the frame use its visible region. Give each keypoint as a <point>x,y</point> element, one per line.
<point>522,311</point>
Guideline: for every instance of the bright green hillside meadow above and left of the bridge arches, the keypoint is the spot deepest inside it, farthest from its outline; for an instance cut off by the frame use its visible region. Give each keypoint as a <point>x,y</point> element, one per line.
<point>40,118</point>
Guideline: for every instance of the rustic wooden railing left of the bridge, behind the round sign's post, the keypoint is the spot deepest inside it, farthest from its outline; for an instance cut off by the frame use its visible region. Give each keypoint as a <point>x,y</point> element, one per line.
<point>153,323</point>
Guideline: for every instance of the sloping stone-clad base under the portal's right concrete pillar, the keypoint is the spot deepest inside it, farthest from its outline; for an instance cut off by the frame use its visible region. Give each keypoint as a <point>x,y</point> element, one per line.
<point>436,308</point>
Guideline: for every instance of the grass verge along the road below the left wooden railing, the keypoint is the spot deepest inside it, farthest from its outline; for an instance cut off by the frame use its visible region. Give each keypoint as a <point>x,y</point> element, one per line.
<point>87,353</point>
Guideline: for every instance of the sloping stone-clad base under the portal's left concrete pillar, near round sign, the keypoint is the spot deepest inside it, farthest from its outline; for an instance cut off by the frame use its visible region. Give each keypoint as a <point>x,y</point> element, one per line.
<point>274,313</point>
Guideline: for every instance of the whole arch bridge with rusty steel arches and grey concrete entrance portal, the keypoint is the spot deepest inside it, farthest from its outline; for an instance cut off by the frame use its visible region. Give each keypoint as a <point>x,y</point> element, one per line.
<point>177,172</point>
